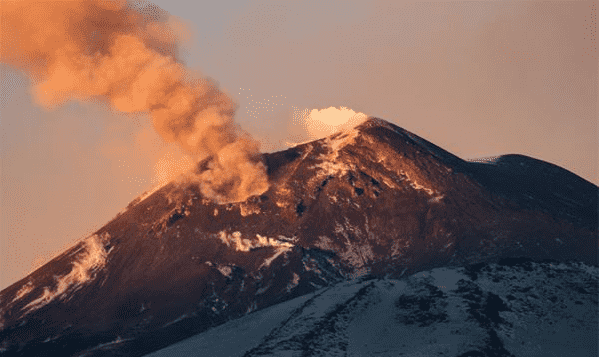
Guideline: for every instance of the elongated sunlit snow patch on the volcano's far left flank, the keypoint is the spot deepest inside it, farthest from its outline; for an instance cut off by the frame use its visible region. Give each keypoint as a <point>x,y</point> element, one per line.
<point>89,261</point>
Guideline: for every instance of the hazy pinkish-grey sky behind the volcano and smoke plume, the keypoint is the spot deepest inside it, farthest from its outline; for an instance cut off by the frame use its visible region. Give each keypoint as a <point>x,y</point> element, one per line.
<point>476,78</point>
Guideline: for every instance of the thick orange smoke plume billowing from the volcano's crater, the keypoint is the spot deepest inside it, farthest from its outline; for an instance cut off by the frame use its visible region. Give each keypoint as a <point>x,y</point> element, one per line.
<point>125,55</point>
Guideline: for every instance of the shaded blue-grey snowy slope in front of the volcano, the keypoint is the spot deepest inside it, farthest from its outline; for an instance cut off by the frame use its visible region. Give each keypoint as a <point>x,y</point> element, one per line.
<point>514,308</point>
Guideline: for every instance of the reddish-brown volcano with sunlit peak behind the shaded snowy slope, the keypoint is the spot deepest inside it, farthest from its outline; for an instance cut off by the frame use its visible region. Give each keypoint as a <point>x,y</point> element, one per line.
<point>372,202</point>
